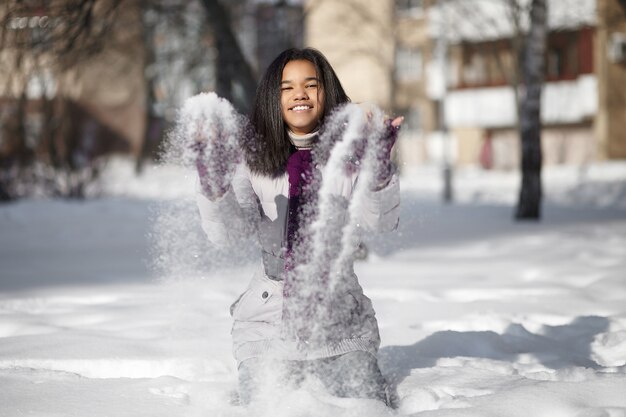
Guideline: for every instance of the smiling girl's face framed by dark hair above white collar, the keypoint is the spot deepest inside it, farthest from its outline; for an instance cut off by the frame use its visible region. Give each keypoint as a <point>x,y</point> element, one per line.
<point>302,96</point>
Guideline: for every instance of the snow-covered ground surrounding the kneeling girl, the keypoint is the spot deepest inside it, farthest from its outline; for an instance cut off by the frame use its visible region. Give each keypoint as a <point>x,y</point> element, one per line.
<point>479,315</point>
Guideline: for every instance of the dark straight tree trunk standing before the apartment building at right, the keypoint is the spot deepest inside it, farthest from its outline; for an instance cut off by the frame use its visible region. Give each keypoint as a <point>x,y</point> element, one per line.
<point>529,204</point>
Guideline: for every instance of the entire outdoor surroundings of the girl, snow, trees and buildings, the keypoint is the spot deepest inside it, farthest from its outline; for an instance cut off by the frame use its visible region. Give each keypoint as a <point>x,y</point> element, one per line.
<point>514,109</point>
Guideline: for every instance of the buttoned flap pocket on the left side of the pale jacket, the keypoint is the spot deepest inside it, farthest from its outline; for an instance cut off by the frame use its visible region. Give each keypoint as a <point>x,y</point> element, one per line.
<point>262,301</point>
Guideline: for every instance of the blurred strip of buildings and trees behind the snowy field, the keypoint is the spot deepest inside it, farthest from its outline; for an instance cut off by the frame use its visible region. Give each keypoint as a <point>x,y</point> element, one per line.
<point>82,80</point>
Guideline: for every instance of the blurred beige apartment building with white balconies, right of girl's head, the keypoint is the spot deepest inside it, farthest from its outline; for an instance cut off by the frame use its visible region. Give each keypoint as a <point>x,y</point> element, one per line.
<point>393,53</point>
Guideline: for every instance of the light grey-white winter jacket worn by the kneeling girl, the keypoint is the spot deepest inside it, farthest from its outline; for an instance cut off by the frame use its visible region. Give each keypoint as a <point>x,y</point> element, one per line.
<point>258,204</point>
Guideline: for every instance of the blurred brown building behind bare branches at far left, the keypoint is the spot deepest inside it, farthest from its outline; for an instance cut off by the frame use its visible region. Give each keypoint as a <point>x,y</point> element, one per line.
<point>87,87</point>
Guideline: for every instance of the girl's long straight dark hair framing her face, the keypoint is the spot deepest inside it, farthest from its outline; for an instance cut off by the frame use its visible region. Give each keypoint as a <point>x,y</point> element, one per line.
<point>267,153</point>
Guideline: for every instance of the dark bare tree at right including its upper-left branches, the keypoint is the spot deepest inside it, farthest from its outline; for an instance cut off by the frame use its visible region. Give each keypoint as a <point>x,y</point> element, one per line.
<point>525,35</point>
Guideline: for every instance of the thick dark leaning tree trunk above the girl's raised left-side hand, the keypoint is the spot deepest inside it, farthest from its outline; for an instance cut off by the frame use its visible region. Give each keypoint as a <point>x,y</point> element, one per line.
<point>231,66</point>
